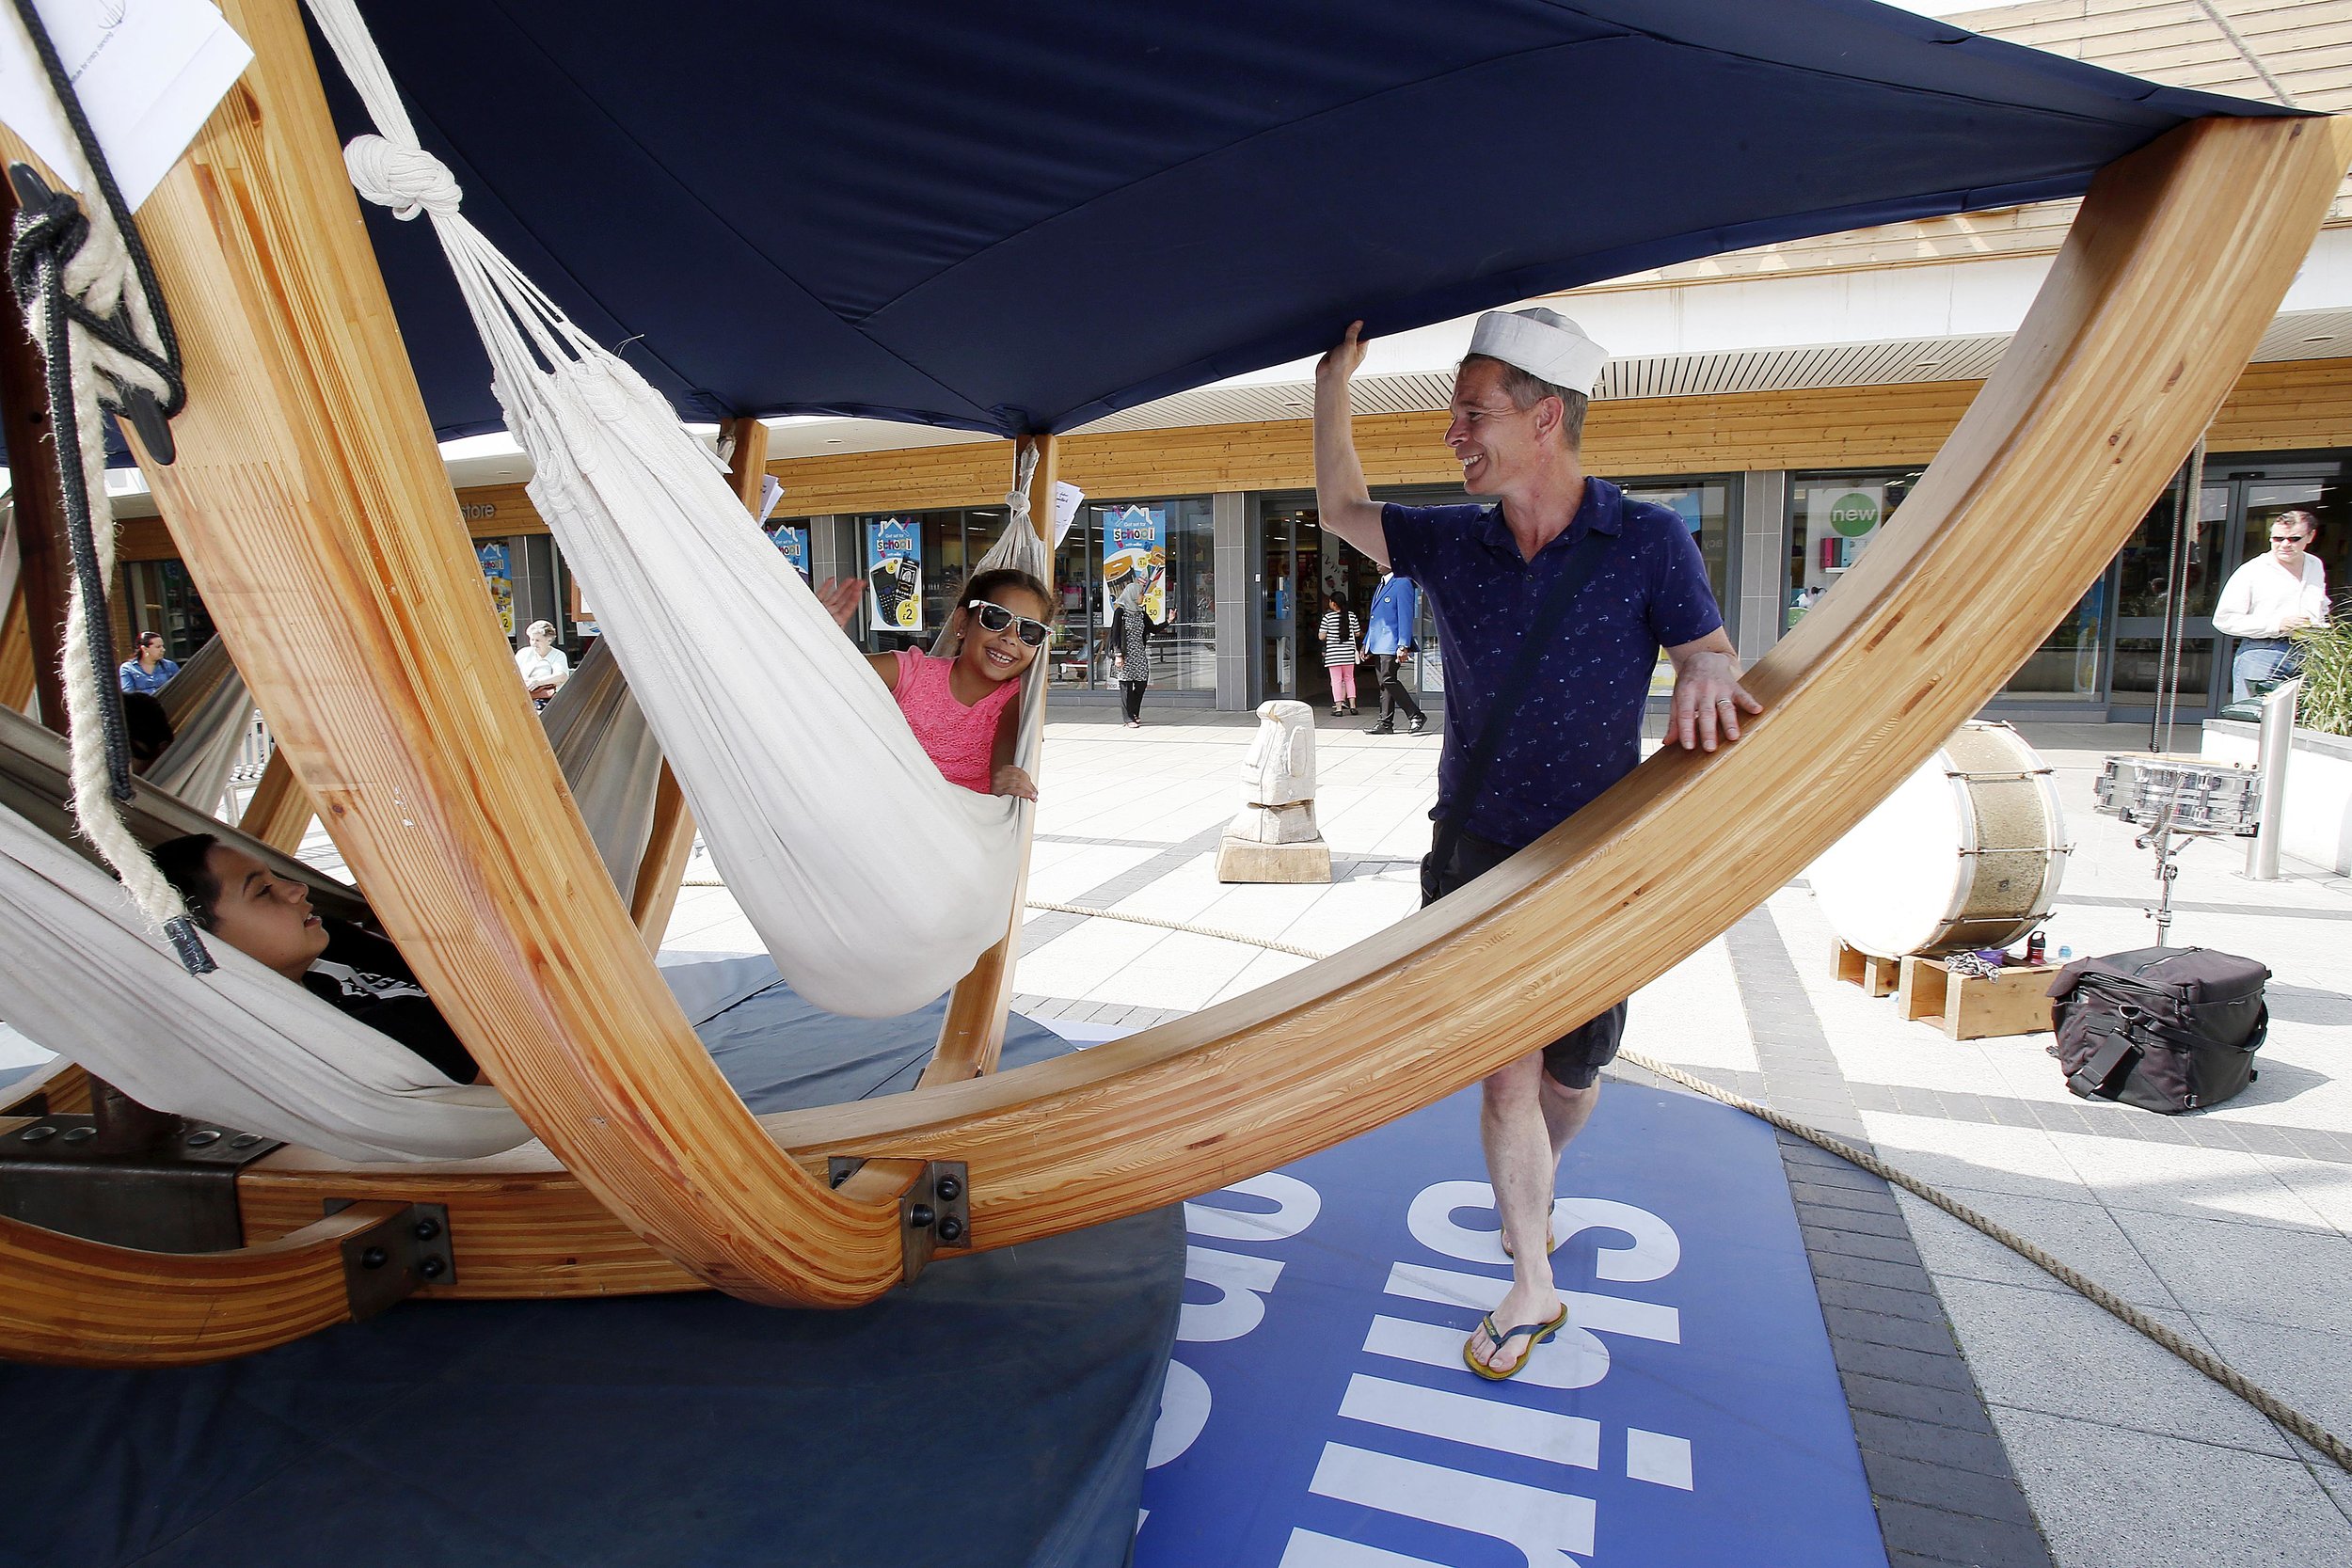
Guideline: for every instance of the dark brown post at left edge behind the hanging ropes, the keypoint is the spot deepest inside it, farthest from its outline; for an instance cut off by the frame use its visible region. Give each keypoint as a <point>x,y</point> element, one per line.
<point>46,563</point>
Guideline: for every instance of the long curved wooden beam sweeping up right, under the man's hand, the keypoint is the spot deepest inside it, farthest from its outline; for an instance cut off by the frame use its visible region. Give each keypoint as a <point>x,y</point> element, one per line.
<point>2149,316</point>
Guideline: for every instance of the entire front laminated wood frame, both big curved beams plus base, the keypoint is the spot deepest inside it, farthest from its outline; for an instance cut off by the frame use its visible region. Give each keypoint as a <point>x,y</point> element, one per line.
<point>319,523</point>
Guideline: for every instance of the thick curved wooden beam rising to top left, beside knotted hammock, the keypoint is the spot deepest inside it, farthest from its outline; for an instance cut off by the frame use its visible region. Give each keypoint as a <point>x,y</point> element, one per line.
<point>319,523</point>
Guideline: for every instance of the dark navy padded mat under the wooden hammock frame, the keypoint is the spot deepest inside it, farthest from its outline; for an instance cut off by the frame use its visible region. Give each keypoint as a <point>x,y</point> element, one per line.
<point>994,1414</point>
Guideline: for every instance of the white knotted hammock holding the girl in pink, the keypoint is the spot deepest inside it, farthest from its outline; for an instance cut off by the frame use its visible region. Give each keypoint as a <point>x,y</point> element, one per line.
<point>871,880</point>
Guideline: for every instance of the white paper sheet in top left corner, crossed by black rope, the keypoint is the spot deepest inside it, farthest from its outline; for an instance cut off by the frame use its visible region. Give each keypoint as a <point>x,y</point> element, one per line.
<point>149,74</point>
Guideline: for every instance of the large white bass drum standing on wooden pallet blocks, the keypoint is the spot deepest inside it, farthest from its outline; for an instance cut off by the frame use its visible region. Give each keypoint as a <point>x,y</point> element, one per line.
<point>1965,855</point>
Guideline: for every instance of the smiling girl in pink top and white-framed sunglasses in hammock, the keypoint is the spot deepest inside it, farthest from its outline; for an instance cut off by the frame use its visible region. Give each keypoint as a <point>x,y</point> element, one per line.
<point>963,709</point>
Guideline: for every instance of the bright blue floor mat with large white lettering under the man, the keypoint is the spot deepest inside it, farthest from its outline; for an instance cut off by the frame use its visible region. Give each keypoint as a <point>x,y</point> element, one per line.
<point>1321,1416</point>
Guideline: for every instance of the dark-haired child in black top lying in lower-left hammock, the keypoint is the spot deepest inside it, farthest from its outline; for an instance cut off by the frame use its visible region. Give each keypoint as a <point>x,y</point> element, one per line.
<point>269,918</point>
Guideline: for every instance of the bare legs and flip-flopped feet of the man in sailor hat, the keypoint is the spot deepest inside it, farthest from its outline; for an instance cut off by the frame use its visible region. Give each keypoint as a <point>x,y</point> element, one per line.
<point>1528,1123</point>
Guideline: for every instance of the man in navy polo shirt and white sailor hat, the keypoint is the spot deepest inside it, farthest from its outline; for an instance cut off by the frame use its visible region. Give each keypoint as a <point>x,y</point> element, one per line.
<point>1516,429</point>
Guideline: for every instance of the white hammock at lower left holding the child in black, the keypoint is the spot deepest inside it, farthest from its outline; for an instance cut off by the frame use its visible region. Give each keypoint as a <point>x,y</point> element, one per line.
<point>86,974</point>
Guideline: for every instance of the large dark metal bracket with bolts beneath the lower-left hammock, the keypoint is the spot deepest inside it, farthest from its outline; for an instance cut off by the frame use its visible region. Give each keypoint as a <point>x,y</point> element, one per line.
<point>175,1195</point>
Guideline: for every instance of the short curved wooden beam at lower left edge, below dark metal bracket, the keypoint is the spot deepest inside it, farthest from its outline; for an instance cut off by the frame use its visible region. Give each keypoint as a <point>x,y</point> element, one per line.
<point>86,1304</point>
